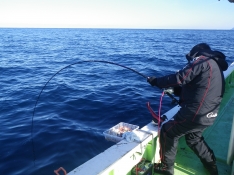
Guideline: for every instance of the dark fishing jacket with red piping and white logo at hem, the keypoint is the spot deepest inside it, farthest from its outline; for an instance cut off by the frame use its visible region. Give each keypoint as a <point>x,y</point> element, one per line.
<point>202,86</point>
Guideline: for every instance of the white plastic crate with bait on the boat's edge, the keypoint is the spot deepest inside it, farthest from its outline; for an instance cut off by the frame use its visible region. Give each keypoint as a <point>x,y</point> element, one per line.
<point>115,133</point>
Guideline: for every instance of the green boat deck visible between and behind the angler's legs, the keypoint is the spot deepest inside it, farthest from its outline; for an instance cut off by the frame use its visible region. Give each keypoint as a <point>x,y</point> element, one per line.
<point>217,137</point>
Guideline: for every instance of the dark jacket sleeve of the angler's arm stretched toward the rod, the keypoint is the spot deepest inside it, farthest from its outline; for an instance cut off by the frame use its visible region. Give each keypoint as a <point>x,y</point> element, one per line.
<point>181,77</point>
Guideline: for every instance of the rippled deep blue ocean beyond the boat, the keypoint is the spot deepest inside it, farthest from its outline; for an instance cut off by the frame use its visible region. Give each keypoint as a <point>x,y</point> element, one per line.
<point>61,123</point>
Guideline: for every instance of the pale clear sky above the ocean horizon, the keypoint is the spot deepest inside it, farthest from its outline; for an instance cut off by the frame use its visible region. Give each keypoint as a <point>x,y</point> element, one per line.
<point>156,14</point>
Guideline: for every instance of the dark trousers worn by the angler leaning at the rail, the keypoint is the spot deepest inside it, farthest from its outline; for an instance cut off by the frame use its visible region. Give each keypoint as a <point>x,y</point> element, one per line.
<point>173,130</point>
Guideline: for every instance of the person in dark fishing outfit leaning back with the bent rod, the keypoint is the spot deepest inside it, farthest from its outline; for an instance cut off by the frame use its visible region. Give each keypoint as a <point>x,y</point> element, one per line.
<point>200,86</point>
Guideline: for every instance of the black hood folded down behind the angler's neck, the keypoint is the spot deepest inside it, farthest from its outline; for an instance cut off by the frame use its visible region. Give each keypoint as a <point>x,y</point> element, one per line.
<point>219,57</point>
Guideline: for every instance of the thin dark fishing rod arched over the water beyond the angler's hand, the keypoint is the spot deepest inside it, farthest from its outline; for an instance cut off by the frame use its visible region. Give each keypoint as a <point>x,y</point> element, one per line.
<point>79,62</point>
